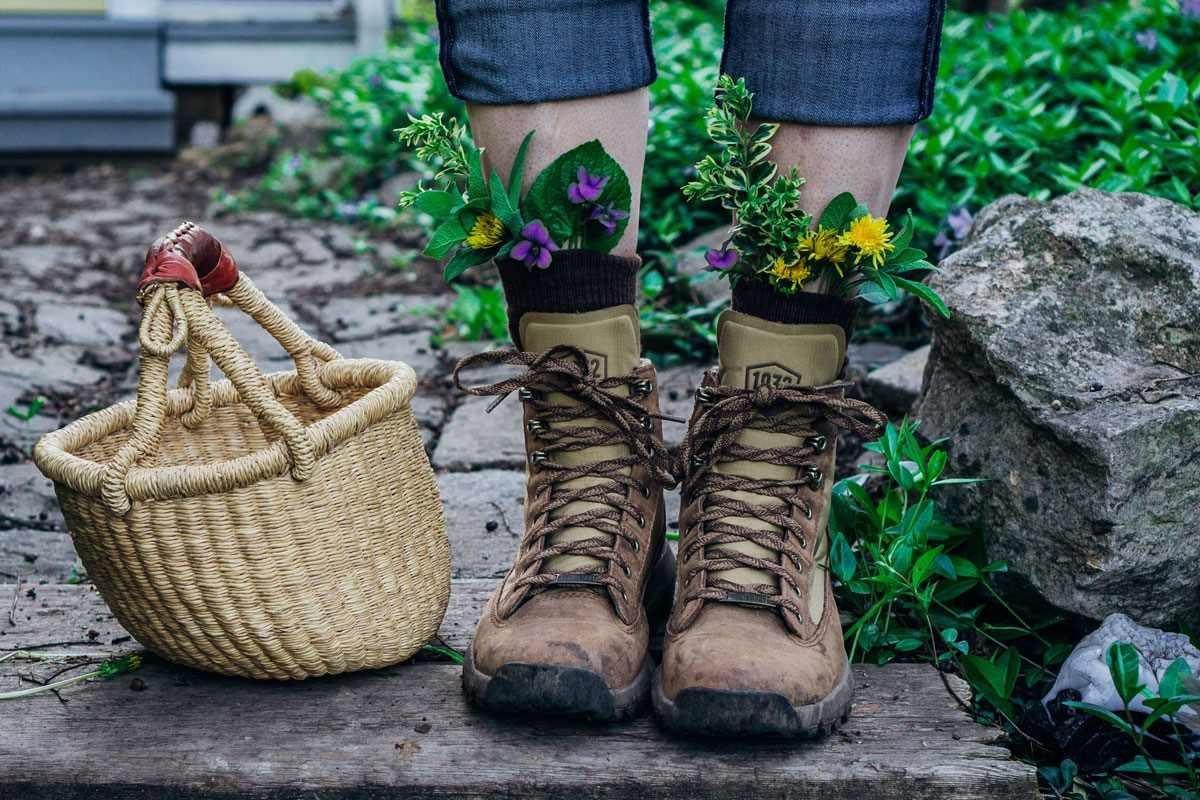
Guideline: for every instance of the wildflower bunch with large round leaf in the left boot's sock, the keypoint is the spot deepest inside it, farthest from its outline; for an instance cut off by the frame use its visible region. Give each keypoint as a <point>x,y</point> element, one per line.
<point>580,201</point>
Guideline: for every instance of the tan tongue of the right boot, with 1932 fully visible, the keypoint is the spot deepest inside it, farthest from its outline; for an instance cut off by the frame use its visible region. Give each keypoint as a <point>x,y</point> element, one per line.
<point>757,353</point>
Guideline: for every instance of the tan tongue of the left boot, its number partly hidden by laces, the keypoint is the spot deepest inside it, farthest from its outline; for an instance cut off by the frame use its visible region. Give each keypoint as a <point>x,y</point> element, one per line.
<point>611,341</point>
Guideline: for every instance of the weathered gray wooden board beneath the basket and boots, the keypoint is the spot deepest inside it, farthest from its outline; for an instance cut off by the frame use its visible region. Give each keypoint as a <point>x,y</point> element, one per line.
<point>406,732</point>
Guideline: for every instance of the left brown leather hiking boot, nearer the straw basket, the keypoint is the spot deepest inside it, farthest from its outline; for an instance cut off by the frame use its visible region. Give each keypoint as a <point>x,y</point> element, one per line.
<point>568,630</point>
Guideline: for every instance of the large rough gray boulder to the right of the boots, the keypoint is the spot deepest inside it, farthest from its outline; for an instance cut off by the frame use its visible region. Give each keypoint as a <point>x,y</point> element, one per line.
<point>1052,378</point>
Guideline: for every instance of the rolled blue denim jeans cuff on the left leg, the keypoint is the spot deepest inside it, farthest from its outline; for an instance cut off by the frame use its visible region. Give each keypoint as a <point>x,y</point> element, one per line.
<point>500,52</point>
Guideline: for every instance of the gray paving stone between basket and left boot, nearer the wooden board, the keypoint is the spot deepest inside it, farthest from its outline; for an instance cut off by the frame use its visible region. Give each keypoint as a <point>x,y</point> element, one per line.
<point>484,519</point>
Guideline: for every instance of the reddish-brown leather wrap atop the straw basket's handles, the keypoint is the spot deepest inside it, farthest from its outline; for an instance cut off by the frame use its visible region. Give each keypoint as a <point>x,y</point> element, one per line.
<point>191,256</point>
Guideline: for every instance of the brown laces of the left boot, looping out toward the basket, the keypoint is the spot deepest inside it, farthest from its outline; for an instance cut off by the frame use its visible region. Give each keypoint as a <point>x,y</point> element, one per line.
<point>565,370</point>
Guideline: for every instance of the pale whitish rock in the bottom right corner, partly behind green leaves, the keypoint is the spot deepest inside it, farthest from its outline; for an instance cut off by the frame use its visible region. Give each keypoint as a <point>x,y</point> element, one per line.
<point>1087,669</point>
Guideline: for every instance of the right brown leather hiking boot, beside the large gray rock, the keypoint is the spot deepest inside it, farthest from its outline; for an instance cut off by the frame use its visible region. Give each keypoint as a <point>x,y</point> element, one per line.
<point>754,645</point>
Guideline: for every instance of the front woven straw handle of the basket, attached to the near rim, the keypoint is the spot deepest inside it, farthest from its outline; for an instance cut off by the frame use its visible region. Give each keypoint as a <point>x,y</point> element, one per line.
<point>176,312</point>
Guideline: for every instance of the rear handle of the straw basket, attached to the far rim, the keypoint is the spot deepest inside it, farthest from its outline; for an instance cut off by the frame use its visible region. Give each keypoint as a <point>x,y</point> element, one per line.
<point>219,275</point>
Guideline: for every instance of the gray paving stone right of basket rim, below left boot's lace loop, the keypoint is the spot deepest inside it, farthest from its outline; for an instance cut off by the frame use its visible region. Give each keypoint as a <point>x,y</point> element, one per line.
<point>475,440</point>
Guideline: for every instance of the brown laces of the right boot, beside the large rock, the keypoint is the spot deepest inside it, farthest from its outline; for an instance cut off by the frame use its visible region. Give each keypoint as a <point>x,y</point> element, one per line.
<point>712,441</point>
